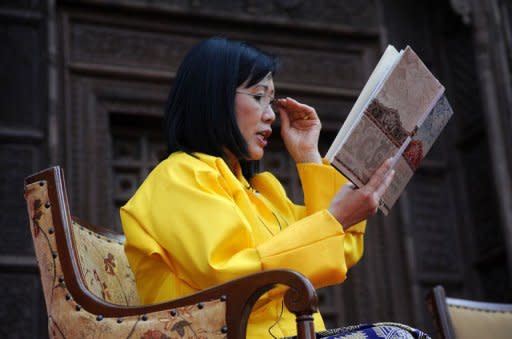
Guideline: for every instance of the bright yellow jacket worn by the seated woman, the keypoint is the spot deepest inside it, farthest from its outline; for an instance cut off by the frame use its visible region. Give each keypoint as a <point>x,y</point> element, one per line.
<point>193,224</point>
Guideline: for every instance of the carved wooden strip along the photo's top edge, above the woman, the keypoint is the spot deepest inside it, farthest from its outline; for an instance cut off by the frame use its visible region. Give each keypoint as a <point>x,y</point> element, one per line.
<point>344,14</point>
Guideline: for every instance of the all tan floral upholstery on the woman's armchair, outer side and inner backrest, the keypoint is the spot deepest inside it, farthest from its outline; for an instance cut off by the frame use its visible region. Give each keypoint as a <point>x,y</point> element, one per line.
<point>67,319</point>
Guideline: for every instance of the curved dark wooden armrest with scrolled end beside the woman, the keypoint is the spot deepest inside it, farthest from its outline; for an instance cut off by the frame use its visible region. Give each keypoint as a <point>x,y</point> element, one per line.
<point>240,295</point>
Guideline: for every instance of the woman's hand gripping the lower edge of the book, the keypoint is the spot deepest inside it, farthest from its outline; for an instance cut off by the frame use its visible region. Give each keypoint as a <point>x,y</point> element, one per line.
<point>351,206</point>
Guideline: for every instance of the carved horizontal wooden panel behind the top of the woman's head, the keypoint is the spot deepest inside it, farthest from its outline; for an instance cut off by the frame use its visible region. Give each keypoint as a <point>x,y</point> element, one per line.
<point>117,46</point>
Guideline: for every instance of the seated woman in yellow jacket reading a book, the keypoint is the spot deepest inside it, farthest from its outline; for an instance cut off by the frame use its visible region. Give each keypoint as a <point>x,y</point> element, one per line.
<point>204,216</point>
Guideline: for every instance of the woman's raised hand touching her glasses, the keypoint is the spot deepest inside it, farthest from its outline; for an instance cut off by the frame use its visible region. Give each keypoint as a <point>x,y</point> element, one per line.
<point>300,130</point>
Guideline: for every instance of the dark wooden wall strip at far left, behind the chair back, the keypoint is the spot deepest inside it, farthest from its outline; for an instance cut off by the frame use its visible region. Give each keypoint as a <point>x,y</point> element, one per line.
<point>23,150</point>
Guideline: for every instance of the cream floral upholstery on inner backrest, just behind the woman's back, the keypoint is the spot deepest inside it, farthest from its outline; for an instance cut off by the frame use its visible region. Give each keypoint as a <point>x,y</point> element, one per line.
<point>104,267</point>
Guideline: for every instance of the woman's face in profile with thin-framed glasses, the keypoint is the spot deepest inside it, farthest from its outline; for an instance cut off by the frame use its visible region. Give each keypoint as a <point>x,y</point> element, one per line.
<point>254,115</point>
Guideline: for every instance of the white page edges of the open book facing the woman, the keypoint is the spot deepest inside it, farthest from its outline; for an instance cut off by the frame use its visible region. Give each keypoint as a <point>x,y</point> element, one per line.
<point>380,72</point>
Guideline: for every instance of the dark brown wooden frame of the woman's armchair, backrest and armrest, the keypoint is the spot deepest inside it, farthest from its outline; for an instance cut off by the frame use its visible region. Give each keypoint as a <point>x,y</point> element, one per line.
<point>240,295</point>
